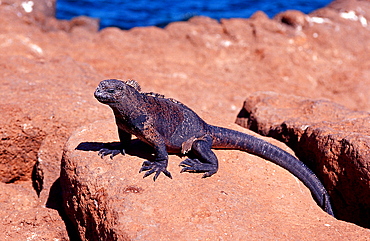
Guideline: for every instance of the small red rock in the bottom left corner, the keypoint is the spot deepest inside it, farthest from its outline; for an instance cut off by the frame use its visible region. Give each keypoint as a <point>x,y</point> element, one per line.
<point>24,217</point>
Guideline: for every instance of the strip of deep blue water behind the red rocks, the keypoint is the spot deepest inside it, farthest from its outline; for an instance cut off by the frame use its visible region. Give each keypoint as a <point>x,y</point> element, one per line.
<point>129,14</point>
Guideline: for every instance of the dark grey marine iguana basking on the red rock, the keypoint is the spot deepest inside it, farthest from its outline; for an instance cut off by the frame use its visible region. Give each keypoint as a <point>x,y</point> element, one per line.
<point>171,127</point>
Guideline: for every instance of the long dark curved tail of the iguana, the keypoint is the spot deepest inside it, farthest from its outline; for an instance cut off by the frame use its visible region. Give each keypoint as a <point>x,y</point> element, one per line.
<point>230,139</point>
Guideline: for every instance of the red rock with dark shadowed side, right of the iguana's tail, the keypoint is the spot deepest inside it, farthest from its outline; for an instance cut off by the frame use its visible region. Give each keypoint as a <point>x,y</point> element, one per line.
<point>333,140</point>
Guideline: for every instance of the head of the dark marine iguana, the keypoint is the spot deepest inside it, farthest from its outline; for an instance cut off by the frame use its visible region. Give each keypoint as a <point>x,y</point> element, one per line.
<point>114,90</point>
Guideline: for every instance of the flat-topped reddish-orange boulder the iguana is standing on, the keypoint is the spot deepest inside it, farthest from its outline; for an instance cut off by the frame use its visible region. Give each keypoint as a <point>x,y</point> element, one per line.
<point>109,200</point>
